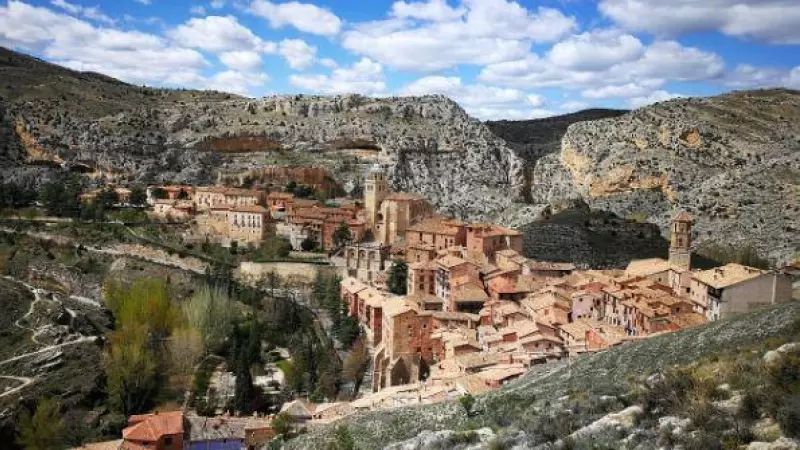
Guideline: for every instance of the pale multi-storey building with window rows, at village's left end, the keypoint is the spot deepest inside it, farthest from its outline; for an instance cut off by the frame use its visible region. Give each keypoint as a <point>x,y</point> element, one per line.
<point>243,224</point>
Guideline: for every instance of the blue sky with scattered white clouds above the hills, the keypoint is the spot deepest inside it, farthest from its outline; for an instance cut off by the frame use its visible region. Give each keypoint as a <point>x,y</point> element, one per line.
<point>499,59</point>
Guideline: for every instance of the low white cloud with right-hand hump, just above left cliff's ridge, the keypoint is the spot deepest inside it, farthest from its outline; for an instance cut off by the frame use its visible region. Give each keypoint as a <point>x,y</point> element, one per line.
<point>363,77</point>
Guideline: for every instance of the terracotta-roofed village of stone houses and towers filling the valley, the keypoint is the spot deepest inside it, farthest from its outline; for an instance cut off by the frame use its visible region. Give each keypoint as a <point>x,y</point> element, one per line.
<point>447,308</point>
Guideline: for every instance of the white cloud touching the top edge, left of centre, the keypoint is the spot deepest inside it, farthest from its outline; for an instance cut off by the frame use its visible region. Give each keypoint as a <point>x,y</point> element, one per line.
<point>303,16</point>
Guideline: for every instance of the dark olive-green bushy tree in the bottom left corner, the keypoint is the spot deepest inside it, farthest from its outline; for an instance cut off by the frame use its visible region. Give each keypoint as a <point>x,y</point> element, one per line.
<point>43,430</point>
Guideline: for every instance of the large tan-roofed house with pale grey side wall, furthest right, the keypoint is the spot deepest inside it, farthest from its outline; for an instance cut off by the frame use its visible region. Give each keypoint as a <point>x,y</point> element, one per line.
<point>734,288</point>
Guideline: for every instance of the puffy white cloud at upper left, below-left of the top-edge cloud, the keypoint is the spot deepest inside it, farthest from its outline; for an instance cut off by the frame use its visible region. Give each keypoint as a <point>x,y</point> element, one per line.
<point>215,34</point>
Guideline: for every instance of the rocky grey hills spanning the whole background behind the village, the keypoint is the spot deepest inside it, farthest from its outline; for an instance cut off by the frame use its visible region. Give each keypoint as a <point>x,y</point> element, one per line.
<point>732,161</point>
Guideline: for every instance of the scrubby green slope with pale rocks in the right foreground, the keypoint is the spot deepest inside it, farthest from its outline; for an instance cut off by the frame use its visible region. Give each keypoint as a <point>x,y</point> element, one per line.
<point>695,389</point>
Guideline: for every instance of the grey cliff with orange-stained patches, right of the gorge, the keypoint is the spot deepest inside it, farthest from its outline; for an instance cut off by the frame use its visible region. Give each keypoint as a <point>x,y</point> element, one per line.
<point>731,161</point>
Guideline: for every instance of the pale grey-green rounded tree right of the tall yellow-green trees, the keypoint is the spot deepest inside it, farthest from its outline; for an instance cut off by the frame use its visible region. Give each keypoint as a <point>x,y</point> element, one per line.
<point>210,312</point>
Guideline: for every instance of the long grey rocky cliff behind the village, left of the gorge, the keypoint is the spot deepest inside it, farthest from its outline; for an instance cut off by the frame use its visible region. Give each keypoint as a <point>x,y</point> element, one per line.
<point>55,117</point>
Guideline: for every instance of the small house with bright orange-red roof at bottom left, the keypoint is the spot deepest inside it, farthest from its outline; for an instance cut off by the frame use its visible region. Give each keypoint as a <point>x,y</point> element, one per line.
<point>156,431</point>
